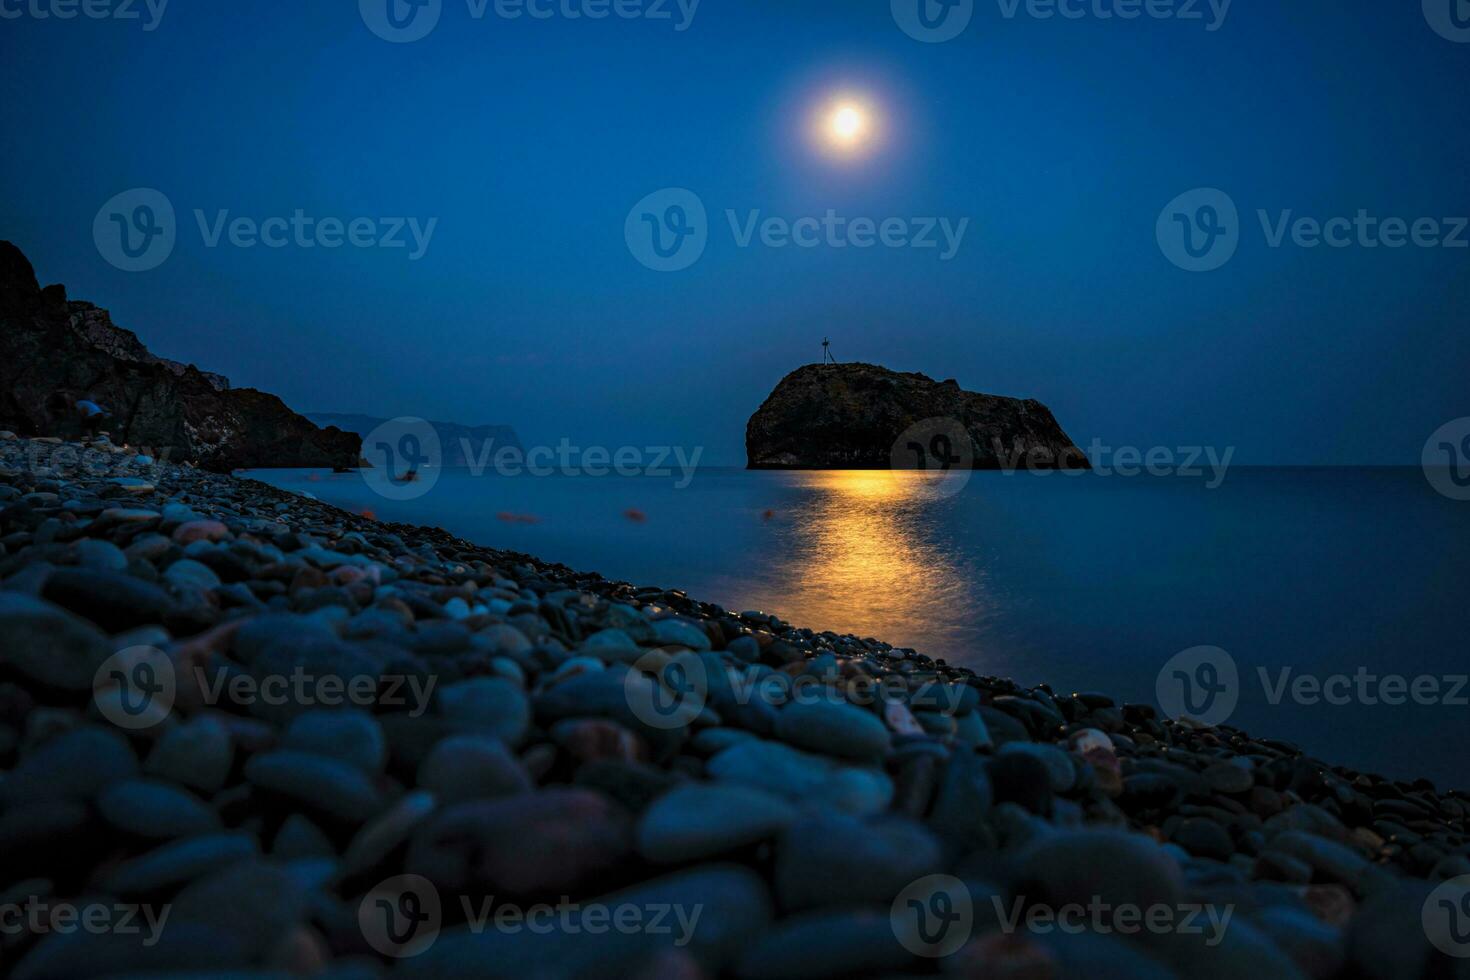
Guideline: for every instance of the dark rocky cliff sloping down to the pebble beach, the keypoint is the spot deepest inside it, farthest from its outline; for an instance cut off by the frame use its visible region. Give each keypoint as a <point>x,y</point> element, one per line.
<point>55,353</point>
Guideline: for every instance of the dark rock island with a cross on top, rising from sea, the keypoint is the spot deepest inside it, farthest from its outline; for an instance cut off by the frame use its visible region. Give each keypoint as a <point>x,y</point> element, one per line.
<point>862,417</point>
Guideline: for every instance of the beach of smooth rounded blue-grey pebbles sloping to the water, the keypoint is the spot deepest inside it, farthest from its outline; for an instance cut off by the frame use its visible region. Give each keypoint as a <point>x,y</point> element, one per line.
<point>540,724</point>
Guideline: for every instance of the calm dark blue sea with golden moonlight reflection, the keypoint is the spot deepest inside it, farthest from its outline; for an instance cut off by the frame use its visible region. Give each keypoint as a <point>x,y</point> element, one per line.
<point>1087,583</point>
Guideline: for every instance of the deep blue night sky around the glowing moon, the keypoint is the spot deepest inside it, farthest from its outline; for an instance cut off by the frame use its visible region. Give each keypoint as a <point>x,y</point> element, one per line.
<point>531,140</point>
